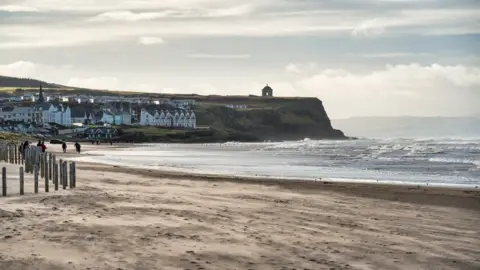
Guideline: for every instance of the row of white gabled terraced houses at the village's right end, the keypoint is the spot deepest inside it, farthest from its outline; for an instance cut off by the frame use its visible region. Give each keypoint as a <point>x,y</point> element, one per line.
<point>168,119</point>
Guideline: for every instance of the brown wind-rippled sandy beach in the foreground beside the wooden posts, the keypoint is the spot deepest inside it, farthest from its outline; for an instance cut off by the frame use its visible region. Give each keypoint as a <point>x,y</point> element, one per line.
<point>122,218</point>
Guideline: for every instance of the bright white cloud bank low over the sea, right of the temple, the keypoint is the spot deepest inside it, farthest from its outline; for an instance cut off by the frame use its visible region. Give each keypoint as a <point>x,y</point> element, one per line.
<point>397,90</point>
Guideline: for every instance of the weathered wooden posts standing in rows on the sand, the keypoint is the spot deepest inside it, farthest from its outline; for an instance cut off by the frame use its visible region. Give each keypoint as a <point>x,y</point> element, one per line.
<point>40,164</point>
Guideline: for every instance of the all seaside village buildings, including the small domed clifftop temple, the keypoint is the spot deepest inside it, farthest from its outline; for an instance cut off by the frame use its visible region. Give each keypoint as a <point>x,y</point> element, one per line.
<point>53,114</point>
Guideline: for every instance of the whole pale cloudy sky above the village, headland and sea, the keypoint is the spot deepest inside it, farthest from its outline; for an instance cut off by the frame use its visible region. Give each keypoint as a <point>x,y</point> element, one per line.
<point>360,57</point>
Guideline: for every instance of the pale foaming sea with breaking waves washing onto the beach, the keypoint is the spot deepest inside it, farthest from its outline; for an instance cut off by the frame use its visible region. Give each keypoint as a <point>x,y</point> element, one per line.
<point>412,158</point>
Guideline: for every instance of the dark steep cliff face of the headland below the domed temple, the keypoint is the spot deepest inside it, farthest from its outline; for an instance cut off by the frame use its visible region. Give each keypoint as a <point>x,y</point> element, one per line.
<point>283,120</point>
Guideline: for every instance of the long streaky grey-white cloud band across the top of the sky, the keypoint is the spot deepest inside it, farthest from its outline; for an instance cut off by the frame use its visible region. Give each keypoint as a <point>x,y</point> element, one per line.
<point>84,22</point>
